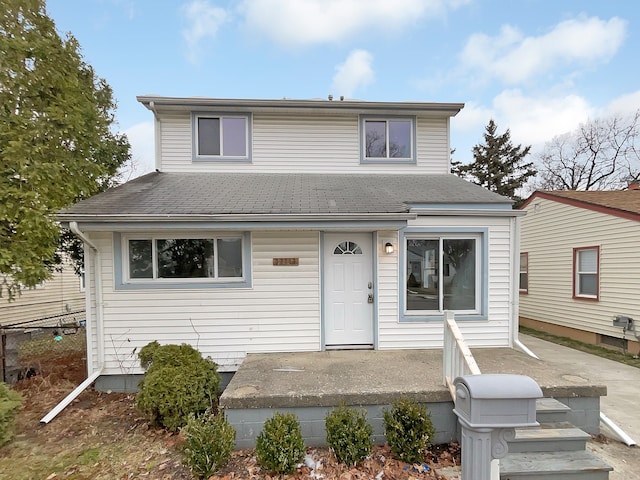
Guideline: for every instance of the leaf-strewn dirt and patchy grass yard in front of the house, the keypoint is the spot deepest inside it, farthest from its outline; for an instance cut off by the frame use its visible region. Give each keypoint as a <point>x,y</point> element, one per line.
<point>102,436</point>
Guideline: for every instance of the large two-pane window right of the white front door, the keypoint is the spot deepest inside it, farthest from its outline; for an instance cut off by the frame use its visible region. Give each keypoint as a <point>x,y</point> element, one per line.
<point>442,274</point>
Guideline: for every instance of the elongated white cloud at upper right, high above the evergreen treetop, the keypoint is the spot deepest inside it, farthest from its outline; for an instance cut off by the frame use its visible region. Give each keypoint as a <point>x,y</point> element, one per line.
<point>513,58</point>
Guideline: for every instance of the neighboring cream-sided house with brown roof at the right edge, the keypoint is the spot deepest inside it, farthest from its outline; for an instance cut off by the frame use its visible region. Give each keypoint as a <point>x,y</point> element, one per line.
<point>580,258</point>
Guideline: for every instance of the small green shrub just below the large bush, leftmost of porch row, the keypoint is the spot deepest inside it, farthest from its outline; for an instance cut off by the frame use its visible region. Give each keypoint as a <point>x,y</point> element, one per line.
<point>209,441</point>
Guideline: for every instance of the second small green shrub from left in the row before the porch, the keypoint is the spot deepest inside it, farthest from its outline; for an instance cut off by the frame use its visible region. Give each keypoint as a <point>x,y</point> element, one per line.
<point>280,447</point>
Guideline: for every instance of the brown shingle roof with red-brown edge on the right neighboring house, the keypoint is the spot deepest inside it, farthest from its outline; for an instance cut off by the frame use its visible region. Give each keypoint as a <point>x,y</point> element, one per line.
<point>616,202</point>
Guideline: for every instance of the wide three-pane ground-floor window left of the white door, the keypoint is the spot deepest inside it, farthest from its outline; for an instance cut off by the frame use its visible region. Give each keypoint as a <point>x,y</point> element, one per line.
<point>185,258</point>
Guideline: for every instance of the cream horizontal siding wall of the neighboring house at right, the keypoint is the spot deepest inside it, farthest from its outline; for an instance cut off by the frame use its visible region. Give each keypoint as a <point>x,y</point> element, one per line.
<point>550,232</point>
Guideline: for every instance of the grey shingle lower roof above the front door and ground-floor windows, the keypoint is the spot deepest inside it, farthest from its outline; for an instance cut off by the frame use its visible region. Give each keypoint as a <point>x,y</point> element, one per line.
<point>176,194</point>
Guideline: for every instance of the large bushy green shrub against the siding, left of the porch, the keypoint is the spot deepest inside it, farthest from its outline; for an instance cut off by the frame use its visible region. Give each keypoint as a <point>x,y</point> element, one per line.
<point>178,382</point>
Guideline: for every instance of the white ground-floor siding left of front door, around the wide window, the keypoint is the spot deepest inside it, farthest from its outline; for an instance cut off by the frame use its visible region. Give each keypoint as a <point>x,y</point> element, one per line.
<point>279,313</point>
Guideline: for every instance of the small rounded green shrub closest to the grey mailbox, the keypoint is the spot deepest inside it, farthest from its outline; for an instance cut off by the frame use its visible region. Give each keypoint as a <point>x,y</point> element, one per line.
<point>409,430</point>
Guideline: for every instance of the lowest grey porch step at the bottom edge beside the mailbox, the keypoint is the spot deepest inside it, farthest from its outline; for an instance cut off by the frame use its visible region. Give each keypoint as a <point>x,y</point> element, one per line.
<point>553,466</point>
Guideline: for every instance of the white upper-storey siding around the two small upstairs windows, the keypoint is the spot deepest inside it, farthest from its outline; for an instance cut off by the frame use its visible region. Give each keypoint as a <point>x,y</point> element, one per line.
<point>304,143</point>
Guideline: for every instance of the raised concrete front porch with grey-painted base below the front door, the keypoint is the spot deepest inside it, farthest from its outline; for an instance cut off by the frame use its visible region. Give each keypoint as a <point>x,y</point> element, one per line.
<point>311,384</point>
